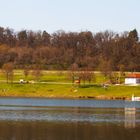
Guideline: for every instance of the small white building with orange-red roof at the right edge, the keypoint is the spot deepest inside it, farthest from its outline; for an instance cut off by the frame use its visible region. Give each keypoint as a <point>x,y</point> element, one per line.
<point>132,79</point>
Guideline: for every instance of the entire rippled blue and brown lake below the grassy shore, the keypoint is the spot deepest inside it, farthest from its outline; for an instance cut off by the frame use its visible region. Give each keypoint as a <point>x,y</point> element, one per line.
<point>59,119</point>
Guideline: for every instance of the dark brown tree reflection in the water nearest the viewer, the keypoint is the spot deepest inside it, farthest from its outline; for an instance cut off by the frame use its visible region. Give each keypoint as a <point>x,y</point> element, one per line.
<point>10,130</point>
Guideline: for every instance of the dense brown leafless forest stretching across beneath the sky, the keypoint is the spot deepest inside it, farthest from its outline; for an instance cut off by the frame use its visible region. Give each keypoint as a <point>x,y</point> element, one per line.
<point>105,51</point>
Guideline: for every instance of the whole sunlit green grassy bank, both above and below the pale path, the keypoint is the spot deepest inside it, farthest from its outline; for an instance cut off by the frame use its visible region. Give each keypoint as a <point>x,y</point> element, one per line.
<point>57,85</point>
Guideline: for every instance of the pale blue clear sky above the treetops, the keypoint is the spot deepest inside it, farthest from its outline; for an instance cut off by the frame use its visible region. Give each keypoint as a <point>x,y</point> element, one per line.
<point>70,15</point>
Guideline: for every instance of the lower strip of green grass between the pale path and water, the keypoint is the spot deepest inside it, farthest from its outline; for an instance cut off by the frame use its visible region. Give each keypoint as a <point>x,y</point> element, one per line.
<point>68,91</point>
